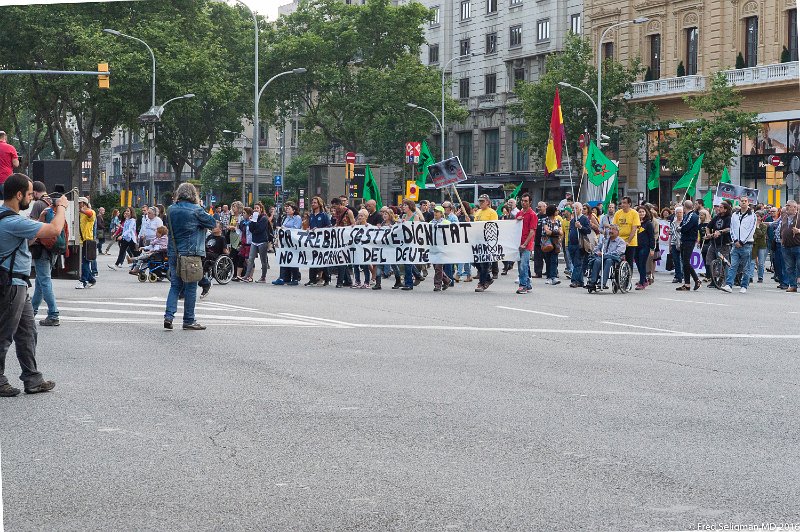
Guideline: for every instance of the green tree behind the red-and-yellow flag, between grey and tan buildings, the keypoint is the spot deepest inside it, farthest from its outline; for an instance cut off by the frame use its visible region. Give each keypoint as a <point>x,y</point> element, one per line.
<point>624,121</point>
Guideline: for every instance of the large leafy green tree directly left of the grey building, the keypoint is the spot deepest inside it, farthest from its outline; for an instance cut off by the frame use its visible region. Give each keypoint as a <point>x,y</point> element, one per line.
<point>363,68</point>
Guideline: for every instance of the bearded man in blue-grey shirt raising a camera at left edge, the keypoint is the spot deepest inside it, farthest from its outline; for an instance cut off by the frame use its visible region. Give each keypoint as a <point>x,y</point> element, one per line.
<point>16,313</point>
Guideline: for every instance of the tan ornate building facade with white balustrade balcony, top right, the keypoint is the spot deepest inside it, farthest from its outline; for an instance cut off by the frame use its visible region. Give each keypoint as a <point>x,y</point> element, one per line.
<point>685,42</point>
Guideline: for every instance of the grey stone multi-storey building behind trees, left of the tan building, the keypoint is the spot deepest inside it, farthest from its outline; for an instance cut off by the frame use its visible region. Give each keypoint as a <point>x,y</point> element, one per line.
<point>486,47</point>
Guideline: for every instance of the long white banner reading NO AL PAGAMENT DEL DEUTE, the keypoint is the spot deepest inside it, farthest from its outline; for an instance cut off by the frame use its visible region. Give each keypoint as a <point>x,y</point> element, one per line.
<point>405,243</point>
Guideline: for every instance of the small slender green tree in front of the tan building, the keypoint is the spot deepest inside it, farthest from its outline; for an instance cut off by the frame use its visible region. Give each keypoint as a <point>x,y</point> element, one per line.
<point>718,126</point>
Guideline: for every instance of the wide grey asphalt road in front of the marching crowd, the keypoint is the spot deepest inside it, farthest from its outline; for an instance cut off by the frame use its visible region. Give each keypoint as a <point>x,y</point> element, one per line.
<point>317,408</point>
